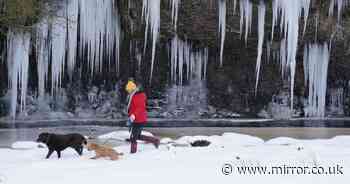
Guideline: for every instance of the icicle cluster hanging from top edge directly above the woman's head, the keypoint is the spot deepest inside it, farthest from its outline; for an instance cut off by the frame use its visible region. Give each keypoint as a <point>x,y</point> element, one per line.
<point>151,13</point>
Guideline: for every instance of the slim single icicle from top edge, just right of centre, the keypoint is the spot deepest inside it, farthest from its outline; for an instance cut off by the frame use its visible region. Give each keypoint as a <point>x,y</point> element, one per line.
<point>222,26</point>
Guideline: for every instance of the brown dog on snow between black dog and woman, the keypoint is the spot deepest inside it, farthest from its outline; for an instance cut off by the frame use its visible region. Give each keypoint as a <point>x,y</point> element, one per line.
<point>103,151</point>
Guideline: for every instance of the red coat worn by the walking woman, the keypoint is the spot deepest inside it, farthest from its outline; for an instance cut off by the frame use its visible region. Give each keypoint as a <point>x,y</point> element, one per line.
<point>138,107</point>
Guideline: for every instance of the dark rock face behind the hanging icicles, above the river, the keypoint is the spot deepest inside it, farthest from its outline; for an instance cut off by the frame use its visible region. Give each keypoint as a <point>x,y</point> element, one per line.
<point>227,91</point>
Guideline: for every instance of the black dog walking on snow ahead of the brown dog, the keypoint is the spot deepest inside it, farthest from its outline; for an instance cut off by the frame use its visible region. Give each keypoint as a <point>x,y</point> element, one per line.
<point>58,143</point>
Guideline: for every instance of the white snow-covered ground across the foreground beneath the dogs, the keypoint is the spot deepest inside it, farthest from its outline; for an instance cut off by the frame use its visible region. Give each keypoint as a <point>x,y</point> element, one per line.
<point>176,162</point>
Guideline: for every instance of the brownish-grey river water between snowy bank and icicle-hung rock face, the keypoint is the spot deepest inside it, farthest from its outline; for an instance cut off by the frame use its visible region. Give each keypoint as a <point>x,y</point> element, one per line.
<point>8,136</point>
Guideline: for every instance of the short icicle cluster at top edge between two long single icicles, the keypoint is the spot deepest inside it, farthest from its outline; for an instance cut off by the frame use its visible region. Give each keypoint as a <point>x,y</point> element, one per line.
<point>246,13</point>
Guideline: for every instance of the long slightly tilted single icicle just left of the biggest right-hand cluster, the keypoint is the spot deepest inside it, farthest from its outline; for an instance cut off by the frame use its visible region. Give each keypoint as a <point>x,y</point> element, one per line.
<point>261,27</point>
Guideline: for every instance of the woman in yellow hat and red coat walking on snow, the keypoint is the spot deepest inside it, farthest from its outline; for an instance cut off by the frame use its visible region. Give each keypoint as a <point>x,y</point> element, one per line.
<point>137,115</point>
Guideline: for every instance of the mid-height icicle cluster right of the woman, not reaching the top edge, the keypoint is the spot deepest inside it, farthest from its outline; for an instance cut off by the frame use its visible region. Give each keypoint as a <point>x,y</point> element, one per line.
<point>185,60</point>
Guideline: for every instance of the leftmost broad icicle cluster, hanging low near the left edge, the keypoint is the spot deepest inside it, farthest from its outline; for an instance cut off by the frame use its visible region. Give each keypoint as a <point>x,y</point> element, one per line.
<point>18,49</point>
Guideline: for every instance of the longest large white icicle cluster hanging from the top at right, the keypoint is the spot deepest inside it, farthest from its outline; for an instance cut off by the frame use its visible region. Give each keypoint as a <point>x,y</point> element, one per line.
<point>289,13</point>
